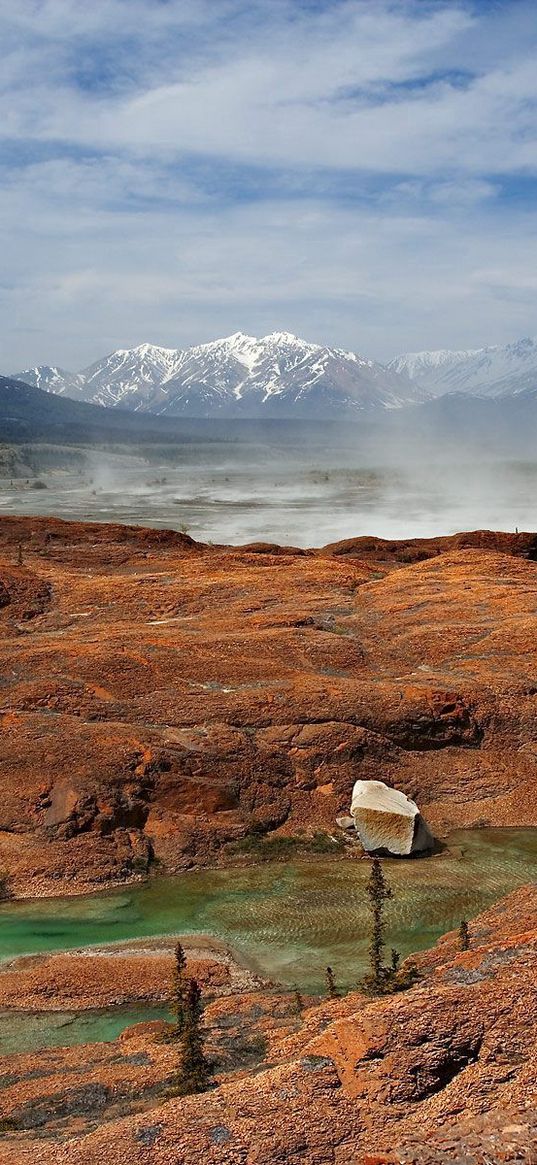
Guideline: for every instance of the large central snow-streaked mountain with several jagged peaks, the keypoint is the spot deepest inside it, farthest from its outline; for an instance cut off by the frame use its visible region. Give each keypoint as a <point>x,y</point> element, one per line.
<point>241,376</point>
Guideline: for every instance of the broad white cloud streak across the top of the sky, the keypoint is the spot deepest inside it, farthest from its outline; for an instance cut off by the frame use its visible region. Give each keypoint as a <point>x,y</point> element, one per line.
<point>314,91</point>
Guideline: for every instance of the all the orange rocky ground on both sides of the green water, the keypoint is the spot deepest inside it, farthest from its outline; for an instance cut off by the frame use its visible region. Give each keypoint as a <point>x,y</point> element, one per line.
<point>162,703</point>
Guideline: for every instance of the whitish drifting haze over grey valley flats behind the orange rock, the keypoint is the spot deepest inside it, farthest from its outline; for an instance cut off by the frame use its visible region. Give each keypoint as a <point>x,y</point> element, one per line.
<point>326,486</point>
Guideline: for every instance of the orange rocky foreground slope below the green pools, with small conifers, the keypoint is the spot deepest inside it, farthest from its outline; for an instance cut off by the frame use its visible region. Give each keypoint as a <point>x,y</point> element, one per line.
<point>444,1072</point>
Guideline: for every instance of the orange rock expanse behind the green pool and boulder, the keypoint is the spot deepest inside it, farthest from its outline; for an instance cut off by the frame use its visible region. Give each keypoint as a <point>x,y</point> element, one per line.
<point>161,700</point>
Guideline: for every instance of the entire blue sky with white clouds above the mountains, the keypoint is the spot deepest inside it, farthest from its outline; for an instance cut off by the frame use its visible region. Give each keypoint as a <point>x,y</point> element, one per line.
<point>361,173</point>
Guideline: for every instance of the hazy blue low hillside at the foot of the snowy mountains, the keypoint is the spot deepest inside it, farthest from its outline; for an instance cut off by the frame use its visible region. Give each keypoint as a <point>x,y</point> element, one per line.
<point>444,427</point>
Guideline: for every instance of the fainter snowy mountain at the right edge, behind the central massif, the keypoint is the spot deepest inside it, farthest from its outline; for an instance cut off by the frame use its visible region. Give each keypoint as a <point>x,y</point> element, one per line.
<point>491,372</point>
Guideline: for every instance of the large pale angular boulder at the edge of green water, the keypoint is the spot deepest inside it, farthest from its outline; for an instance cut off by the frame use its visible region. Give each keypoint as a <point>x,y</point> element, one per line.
<point>387,822</point>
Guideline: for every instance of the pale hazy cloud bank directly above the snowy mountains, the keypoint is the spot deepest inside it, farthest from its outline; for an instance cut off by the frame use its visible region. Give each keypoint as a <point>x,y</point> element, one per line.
<point>375,283</point>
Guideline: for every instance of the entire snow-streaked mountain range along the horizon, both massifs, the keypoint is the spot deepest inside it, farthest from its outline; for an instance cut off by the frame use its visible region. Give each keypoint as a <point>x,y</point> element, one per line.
<point>282,376</point>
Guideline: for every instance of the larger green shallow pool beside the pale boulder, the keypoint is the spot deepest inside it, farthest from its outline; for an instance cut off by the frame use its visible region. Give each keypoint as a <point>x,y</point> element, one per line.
<point>291,920</point>
